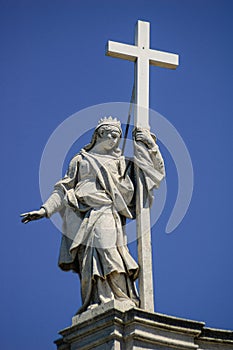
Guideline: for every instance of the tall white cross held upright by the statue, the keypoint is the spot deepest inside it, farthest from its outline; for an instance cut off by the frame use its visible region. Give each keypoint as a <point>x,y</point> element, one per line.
<point>143,56</point>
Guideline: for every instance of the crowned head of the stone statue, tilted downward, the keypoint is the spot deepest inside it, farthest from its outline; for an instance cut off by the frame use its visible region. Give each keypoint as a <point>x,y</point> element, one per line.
<point>107,135</point>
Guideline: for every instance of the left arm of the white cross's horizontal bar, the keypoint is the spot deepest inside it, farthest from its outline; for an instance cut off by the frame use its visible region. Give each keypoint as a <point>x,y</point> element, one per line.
<point>119,50</point>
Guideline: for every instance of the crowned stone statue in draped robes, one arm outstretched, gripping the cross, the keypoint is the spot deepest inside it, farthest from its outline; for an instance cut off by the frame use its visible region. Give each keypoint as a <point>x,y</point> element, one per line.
<point>94,199</point>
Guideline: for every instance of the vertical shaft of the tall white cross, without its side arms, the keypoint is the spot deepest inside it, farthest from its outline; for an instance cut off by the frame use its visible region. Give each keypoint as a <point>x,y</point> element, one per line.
<point>141,119</point>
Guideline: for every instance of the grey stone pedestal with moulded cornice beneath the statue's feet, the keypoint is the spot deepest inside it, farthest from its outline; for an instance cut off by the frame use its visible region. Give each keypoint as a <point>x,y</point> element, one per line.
<point>117,325</point>
